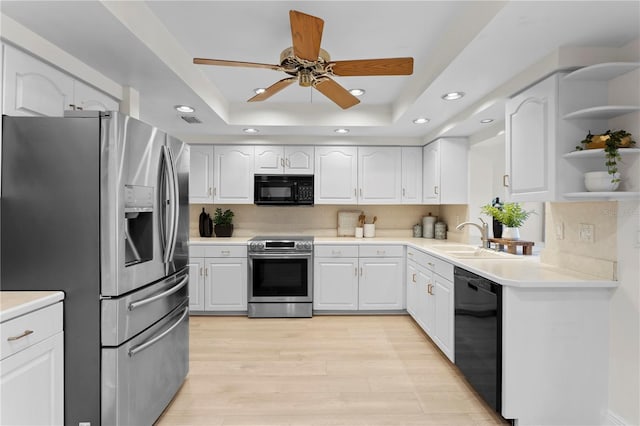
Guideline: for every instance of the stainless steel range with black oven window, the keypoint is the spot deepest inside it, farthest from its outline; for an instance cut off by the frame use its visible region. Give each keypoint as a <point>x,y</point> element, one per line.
<point>280,277</point>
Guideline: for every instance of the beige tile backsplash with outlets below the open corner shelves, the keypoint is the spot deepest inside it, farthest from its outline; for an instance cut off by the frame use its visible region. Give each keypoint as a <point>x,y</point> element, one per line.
<point>582,237</point>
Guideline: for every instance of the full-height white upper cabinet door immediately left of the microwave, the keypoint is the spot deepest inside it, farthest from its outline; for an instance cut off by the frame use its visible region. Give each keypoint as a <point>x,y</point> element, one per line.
<point>233,174</point>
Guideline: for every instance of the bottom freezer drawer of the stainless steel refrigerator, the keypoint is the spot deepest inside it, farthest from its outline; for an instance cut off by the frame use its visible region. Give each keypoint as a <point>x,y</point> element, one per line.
<point>140,377</point>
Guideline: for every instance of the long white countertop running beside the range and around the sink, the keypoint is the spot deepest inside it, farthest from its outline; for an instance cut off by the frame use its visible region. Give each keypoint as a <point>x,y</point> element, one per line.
<point>514,270</point>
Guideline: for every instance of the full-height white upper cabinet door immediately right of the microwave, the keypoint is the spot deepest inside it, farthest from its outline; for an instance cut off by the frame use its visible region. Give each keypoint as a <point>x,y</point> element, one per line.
<point>336,179</point>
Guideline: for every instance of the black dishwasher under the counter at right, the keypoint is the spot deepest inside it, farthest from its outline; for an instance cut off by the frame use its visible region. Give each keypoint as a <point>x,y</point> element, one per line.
<point>478,334</point>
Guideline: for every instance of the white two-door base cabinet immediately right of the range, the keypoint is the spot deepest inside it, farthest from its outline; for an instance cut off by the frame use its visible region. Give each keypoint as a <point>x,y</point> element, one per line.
<point>345,281</point>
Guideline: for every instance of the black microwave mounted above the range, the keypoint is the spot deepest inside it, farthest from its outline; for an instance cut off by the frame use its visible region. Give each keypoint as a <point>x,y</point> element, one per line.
<point>283,190</point>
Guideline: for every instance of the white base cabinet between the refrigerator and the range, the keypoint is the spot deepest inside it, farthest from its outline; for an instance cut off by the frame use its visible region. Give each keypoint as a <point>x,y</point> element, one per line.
<point>218,278</point>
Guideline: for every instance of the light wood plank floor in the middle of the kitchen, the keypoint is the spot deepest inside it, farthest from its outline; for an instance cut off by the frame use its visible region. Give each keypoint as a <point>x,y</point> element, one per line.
<point>326,370</point>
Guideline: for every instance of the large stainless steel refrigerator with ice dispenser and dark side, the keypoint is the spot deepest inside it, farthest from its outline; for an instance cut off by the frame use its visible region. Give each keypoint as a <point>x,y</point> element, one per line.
<point>96,205</point>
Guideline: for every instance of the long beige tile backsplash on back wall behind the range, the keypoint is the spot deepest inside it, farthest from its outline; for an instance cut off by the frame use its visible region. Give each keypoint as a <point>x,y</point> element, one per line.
<point>319,220</point>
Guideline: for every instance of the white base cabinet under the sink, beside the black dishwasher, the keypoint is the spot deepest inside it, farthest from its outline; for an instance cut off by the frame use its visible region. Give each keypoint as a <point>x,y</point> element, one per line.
<point>430,285</point>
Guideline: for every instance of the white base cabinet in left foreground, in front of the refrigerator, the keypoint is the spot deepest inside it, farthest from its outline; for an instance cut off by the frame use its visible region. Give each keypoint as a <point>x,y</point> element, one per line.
<point>32,368</point>
